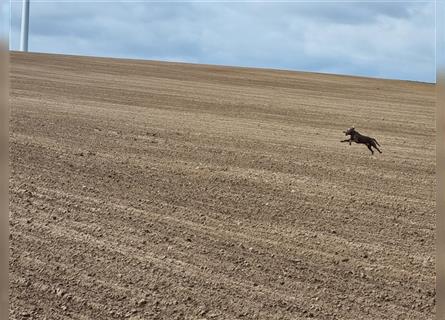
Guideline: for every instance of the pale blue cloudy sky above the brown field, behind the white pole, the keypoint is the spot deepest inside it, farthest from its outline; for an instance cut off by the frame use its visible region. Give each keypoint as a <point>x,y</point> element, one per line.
<point>394,40</point>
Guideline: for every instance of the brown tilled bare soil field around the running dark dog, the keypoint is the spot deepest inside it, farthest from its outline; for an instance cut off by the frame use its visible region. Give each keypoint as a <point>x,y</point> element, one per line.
<point>150,190</point>
